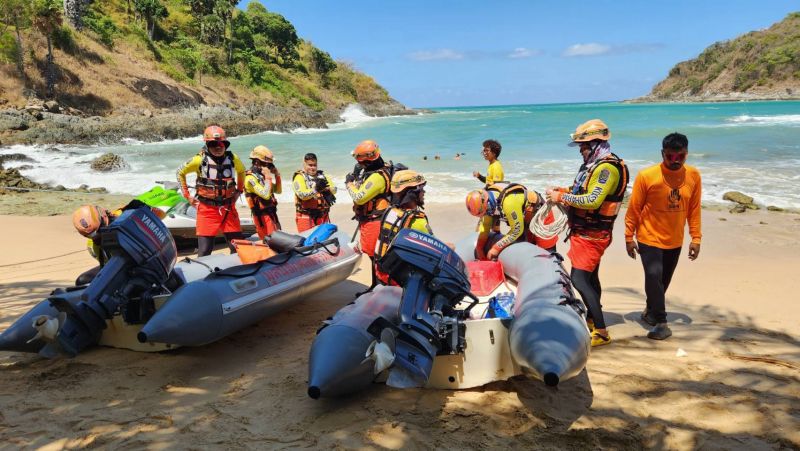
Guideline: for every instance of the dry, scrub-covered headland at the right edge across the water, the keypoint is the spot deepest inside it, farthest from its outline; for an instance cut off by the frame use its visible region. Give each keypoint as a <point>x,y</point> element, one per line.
<point>759,65</point>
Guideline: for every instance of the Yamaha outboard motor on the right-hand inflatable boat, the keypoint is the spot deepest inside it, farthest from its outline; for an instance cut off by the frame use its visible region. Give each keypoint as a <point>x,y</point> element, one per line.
<point>434,281</point>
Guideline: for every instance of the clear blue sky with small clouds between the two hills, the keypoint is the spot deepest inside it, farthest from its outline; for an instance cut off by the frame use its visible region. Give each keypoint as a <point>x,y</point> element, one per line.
<point>463,53</point>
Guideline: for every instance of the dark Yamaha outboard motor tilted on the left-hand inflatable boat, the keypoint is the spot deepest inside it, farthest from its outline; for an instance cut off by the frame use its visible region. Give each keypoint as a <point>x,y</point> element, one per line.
<point>142,254</point>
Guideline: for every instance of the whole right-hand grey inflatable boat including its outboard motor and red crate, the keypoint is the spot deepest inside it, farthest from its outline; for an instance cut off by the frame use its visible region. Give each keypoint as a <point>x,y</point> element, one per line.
<point>447,328</point>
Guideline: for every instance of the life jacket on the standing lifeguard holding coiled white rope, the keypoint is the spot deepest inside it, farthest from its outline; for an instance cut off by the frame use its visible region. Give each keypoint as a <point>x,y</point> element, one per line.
<point>601,218</point>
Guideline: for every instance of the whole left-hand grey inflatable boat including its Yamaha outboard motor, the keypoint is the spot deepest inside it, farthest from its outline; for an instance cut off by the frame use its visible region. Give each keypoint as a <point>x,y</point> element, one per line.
<point>136,304</point>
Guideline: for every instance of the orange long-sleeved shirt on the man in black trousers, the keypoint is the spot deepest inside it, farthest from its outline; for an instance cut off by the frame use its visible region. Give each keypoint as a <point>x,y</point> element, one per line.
<point>661,203</point>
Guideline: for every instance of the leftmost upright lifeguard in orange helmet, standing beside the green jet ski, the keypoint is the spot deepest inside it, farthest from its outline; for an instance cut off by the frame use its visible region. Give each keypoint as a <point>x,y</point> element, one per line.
<point>220,180</point>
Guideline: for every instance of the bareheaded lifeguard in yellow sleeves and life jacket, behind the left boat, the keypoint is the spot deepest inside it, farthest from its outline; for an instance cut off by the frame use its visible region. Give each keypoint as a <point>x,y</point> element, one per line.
<point>314,194</point>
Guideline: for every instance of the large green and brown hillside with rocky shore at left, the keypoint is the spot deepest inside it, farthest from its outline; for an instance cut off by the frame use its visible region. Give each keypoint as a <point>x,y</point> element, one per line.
<point>90,71</point>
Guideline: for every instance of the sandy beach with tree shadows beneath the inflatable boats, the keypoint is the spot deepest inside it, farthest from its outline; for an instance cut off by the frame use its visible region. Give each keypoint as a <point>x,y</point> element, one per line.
<point>728,378</point>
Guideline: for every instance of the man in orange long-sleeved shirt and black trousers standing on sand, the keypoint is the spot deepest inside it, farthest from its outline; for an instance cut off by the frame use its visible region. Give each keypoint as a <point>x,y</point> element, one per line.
<point>665,197</point>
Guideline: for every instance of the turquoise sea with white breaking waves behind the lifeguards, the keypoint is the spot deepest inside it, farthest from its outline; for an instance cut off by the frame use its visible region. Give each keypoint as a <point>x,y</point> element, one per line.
<point>753,147</point>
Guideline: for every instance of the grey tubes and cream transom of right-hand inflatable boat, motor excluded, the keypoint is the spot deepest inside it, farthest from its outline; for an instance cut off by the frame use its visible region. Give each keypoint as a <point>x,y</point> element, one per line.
<point>546,337</point>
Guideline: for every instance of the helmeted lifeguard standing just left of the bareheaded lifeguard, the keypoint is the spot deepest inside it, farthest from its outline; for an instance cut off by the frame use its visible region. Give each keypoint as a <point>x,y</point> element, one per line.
<point>260,191</point>
